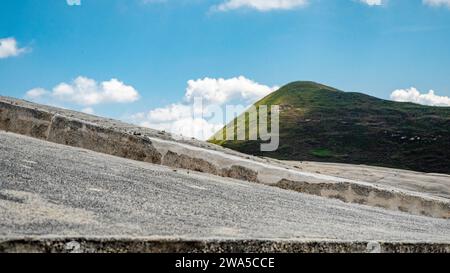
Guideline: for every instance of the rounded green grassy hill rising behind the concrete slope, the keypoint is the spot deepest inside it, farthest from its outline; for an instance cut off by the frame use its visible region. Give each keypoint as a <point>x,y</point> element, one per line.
<point>321,123</point>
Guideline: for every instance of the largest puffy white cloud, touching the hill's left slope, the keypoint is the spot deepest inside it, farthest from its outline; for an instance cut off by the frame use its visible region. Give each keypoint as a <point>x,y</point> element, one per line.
<point>192,119</point>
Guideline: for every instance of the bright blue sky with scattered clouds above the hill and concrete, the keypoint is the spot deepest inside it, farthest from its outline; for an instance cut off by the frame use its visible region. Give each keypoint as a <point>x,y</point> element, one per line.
<point>151,49</point>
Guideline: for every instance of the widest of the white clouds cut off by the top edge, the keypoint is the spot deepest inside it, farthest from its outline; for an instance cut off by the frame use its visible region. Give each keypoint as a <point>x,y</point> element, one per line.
<point>260,5</point>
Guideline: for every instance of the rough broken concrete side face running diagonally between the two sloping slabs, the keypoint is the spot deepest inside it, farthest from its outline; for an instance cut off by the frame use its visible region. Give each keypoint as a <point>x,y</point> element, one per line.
<point>54,127</point>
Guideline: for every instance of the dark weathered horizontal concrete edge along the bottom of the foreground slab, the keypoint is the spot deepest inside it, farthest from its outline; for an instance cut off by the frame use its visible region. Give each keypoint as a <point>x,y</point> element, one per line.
<point>152,245</point>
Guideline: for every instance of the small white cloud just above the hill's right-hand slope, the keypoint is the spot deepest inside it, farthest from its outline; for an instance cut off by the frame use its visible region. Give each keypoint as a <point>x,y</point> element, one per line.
<point>414,95</point>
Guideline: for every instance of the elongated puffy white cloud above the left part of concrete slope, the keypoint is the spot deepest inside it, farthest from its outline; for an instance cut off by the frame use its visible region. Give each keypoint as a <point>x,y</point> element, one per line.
<point>86,92</point>
